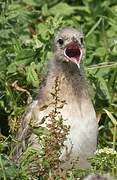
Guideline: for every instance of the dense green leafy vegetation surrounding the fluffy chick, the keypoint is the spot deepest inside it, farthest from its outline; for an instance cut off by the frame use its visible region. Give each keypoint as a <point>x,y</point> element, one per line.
<point>27,28</point>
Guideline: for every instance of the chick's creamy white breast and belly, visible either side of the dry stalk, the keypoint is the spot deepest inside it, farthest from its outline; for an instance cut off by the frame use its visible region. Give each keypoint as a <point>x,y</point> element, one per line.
<point>82,136</point>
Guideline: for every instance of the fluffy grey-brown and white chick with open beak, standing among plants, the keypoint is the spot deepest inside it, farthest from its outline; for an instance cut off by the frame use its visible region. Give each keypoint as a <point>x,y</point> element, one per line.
<point>77,113</point>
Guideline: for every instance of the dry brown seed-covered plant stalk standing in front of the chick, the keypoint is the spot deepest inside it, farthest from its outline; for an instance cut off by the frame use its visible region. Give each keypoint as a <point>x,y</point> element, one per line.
<point>46,159</point>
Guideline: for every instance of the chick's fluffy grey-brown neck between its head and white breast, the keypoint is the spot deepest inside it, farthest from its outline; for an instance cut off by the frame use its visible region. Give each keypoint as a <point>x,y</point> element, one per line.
<point>69,78</point>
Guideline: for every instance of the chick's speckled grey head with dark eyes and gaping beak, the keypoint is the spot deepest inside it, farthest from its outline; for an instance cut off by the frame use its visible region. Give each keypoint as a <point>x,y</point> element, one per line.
<point>69,46</point>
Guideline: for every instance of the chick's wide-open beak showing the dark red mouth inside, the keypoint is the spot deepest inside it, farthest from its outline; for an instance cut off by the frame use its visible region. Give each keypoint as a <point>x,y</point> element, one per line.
<point>73,53</point>
